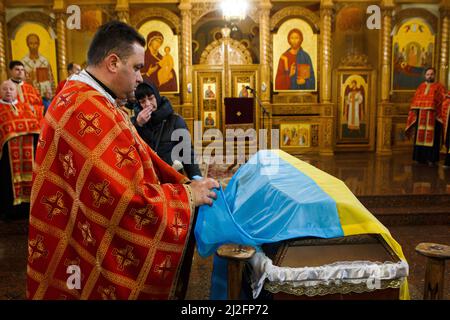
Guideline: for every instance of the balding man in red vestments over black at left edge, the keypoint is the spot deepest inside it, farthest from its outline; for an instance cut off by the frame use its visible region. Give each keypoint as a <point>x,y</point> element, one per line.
<point>19,130</point>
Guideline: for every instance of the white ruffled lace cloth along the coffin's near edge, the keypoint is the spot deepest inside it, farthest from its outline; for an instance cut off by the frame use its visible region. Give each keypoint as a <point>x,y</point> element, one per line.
<point>354,272</point>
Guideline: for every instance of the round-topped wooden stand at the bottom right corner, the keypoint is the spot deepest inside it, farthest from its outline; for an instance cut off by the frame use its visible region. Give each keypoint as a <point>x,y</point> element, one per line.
<point>435,272</point>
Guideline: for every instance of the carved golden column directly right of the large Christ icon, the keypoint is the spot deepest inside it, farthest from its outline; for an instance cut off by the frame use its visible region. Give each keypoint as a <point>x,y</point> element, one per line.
<point>327,120</point>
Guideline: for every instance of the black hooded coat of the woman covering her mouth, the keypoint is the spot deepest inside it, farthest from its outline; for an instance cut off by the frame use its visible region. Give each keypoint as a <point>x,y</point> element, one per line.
<point>158,132</point>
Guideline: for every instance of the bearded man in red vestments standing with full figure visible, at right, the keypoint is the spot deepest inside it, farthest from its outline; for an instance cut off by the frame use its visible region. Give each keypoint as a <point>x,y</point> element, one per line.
<point>425,119</point>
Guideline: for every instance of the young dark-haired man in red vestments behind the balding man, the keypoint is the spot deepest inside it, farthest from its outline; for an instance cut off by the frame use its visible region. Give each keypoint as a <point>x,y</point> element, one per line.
<point>26,93</point>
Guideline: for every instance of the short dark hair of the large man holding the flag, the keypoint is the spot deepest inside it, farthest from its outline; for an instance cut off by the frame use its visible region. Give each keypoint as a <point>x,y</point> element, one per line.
<point>113,37</point>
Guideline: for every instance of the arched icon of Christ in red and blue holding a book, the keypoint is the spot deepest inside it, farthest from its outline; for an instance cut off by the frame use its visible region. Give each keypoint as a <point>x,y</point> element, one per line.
<point>295,69</point>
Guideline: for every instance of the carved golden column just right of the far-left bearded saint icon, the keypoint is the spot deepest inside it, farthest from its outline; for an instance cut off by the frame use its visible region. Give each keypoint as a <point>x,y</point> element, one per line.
<point>61,52</point>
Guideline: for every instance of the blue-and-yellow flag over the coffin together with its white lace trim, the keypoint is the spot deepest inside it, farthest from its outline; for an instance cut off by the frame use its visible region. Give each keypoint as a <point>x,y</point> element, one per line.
<point>276,197</point>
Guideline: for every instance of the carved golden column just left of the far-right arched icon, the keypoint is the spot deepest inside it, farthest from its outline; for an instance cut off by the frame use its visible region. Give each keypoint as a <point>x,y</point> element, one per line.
<point>384,115</point>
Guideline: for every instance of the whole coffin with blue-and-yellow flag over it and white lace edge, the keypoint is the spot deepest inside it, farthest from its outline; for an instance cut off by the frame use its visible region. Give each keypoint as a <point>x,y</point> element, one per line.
<point>317,239</point>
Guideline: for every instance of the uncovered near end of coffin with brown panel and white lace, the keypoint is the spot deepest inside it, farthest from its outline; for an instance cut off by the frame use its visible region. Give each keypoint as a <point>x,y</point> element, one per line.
<point>351,267</point>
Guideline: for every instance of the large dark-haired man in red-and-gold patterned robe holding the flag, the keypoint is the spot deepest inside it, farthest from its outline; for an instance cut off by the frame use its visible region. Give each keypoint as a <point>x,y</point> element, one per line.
<point>103,205</point>
